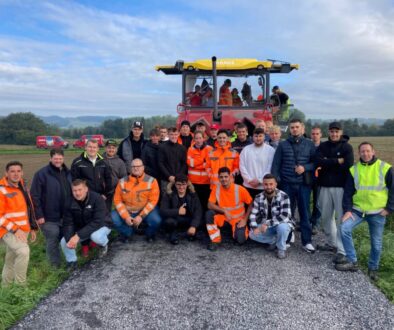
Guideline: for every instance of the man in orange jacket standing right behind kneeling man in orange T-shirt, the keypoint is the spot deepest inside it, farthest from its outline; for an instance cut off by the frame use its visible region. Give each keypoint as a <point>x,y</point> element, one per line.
<point>222,156</point>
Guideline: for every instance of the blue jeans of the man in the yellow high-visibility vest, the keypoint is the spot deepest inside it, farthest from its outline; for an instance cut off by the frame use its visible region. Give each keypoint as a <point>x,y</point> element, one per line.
<point>376,226</point>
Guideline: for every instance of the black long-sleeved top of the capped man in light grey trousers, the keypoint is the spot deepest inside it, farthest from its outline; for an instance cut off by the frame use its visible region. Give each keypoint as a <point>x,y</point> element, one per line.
<point>331,173</point>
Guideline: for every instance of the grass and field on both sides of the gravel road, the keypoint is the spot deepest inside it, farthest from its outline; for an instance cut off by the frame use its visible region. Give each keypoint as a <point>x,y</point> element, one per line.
<point>16,301</point>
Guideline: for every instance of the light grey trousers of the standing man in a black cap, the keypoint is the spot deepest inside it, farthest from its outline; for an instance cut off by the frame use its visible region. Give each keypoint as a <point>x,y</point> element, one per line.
<point>330,204</point>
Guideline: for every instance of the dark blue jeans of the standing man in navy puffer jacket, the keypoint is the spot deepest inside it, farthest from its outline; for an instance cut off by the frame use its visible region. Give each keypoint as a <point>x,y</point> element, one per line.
<point>300,195</point>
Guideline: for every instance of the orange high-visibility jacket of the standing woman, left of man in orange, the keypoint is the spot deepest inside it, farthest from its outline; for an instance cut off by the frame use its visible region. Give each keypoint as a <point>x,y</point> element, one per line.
<point>197,161</point>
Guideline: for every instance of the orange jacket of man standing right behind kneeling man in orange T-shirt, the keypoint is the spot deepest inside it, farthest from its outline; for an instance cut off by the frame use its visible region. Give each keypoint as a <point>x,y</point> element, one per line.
<point>221,157</point>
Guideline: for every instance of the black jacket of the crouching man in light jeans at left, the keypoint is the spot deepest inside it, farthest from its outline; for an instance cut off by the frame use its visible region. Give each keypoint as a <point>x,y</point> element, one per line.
<point>85,217</point>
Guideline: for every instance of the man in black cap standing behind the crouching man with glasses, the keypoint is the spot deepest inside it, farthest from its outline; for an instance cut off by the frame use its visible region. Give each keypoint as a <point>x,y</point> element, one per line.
<point>131,146</point>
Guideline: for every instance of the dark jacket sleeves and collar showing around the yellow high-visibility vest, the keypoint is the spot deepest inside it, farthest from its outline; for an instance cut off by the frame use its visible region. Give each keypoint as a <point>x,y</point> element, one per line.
<point>350,189</point>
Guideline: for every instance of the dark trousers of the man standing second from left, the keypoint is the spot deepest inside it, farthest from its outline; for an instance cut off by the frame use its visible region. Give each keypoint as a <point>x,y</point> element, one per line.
<point>52,232</point>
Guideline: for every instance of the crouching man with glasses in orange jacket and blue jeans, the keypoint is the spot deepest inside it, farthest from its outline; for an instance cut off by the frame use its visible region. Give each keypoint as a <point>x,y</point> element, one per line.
<point>135,199</point>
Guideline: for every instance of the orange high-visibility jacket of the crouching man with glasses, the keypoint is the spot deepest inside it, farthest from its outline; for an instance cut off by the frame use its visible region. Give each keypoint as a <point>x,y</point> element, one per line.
<point>136,195</point>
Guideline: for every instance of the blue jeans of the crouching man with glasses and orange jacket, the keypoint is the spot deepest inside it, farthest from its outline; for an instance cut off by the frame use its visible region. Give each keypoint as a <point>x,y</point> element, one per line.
<point>153,220</point>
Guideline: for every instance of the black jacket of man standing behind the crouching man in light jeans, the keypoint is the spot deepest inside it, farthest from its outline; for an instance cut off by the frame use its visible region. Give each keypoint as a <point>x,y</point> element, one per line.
<point>98,177</point>
